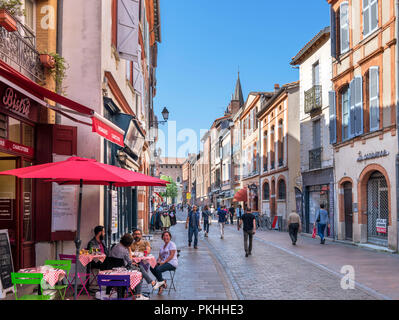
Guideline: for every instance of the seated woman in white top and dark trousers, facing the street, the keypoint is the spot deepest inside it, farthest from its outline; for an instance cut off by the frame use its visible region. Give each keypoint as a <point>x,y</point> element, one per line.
<point>167,259</point>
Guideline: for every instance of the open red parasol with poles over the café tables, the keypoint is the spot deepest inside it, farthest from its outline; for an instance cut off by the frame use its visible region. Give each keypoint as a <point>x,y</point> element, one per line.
<point>85,171</point>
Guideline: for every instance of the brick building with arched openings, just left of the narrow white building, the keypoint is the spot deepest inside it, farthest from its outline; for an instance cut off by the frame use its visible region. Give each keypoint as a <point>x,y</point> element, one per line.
<point>279,149</point>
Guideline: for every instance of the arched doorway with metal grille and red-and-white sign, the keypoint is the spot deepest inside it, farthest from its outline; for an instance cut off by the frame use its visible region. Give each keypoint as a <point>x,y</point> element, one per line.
<point>377,209</point>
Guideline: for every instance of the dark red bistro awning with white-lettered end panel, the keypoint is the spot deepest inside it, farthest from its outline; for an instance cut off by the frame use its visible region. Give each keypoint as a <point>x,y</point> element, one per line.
<point>31,89</point>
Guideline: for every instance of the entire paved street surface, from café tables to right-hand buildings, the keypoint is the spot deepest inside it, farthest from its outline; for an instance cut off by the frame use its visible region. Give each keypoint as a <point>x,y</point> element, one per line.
<point>220,270</point>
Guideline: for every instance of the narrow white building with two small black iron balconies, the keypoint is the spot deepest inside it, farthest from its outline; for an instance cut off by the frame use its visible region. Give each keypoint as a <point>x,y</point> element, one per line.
<point>315,73</point>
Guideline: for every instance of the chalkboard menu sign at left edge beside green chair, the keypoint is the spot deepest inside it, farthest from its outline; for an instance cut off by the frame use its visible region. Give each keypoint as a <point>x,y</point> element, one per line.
<point>6,265</point>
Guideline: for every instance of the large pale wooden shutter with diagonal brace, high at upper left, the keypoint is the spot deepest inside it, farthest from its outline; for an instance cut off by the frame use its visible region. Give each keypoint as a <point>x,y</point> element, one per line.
<point>127,29</point>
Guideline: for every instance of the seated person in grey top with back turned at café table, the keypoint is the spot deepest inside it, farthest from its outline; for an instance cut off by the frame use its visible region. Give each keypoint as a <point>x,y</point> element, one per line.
<point>122,251</point>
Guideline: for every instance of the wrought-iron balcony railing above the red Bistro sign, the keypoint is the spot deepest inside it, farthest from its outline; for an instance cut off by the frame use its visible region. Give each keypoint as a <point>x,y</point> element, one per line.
<point>18,49</point>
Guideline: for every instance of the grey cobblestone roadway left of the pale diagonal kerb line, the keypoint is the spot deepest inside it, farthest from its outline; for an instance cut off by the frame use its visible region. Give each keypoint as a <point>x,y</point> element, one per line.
<point>270,273</point>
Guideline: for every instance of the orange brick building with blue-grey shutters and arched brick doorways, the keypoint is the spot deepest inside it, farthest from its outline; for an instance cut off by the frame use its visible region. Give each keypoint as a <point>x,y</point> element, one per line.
<point>363,120</point>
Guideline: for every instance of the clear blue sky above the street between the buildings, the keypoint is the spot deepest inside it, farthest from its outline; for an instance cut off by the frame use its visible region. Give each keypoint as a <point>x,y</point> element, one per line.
<point>204,42</point>
